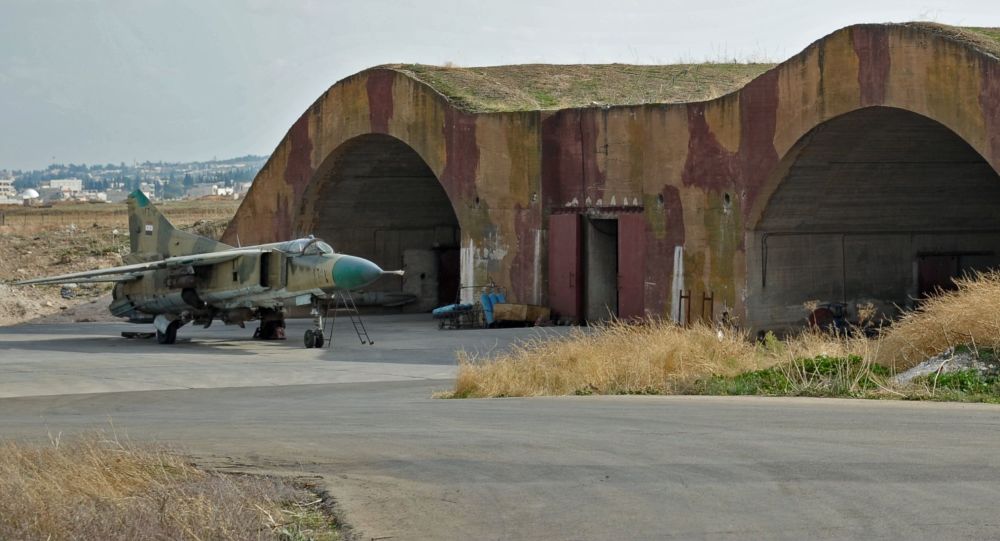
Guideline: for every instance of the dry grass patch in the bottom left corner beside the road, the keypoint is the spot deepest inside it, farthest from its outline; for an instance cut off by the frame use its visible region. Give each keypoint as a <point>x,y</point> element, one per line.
<point>96,488</point>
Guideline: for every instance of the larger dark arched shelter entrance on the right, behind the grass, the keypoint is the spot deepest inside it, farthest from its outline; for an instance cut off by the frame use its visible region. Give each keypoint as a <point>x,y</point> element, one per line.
<point>879,206</point>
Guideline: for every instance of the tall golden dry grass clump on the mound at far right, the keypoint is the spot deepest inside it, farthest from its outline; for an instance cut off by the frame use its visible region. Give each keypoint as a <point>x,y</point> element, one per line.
<point>967,316</point>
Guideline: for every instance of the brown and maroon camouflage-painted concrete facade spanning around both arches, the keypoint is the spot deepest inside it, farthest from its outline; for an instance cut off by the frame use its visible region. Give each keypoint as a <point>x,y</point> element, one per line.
<point>702,173</point>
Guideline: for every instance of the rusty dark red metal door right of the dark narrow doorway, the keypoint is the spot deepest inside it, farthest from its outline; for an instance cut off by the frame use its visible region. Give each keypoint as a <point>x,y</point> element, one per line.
<point>631,265</point>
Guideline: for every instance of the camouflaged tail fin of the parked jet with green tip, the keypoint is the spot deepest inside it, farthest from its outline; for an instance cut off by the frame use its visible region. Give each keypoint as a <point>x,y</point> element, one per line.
<point>152,236</point>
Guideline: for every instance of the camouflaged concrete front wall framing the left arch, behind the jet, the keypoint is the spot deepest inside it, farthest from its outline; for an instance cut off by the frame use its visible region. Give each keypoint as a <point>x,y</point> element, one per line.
<point>487,165</point>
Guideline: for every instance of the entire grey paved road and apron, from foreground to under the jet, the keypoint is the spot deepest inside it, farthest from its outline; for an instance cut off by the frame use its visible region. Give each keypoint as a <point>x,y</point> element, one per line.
<point>405,466</point>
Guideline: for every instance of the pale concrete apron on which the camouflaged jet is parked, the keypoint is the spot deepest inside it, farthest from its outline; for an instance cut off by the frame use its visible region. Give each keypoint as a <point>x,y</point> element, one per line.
<point>94,358</point>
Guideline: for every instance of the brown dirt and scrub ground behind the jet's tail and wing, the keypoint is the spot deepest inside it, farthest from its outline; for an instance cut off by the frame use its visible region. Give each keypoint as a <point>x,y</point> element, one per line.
<point>65,238</point>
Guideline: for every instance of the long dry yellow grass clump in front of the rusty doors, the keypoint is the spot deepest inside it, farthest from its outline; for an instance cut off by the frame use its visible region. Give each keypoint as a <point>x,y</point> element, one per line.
<point>621,358</point>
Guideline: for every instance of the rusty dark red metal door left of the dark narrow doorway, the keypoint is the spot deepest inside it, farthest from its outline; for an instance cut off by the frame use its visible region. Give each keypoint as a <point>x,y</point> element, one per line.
<point>565,269</point>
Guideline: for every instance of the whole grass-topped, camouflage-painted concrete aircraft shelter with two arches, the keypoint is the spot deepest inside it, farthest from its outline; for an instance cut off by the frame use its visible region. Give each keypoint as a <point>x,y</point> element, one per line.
<point>862,171</point>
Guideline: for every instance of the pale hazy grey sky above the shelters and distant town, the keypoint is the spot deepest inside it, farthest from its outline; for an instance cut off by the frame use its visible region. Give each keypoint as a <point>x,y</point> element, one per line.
<point>100,81</point>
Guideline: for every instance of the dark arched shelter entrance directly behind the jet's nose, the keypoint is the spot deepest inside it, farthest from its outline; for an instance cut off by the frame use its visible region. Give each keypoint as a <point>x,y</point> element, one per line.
<point>376,198</point>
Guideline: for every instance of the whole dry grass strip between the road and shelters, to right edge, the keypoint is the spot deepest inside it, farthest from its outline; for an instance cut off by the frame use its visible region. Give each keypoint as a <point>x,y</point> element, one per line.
<point>662,358</point>
